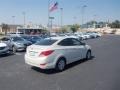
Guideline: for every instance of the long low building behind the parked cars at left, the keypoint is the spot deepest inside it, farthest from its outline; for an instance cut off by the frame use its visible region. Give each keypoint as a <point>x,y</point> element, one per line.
<point>28,29</point>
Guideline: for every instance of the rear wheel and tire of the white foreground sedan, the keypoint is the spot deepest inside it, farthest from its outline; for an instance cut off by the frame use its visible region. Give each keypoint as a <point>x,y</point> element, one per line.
<point>61,63</point>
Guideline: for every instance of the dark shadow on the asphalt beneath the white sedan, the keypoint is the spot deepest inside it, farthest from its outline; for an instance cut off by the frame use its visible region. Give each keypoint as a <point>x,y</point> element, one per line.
<point>53,71</point>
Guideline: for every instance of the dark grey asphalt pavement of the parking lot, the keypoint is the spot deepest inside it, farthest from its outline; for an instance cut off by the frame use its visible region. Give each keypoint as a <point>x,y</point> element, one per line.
<point>102,72</point>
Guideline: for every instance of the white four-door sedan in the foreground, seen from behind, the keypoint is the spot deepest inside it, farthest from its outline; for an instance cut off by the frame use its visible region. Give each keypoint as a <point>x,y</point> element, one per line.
<point>56,52</point>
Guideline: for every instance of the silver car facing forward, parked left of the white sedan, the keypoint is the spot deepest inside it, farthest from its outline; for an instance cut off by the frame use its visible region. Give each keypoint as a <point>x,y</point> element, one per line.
<point>16,43</point>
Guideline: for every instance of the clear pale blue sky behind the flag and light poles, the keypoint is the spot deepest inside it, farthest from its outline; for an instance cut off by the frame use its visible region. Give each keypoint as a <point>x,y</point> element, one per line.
<point>37,11</point>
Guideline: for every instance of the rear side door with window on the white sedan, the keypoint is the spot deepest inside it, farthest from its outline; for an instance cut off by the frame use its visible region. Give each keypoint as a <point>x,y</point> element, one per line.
<point>70,51</point>
